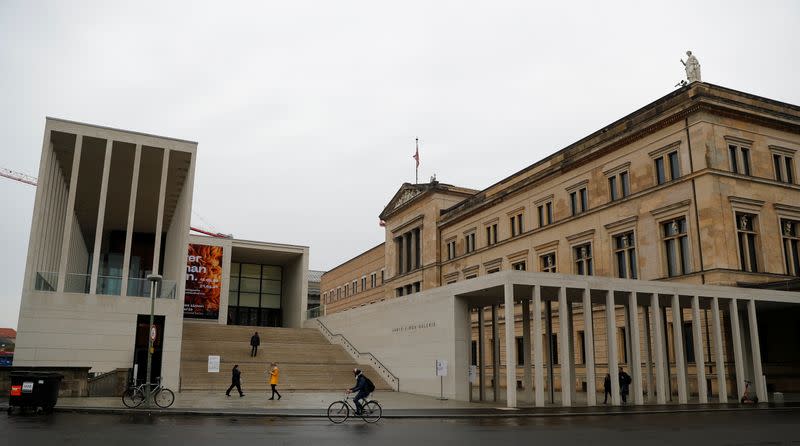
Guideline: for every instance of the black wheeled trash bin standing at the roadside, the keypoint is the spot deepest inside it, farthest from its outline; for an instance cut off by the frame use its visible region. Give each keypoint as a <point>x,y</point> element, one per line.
<point>34,390</point>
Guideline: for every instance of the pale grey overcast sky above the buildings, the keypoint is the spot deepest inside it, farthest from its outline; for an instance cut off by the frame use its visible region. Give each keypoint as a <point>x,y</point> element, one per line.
<point>306,112</point>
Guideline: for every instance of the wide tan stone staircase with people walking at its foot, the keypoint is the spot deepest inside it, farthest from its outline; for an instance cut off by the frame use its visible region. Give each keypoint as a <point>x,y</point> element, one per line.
<point>307,361</point>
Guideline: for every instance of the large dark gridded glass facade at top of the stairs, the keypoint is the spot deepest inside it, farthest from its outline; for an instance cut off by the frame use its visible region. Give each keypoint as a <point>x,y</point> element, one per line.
<point>254,296</point>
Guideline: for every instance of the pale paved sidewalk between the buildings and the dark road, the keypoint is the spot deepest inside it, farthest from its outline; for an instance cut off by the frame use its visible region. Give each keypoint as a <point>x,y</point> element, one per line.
<point>395,405</point>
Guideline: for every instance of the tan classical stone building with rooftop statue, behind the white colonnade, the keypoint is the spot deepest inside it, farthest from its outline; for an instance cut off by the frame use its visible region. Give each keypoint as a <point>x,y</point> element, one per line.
<point>699,187</point>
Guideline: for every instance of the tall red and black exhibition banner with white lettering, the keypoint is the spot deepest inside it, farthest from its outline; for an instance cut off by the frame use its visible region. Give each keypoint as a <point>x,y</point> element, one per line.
<point>203,282</point>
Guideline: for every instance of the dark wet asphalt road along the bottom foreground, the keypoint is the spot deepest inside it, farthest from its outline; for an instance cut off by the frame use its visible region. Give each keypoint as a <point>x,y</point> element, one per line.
<point>755,427</point>
